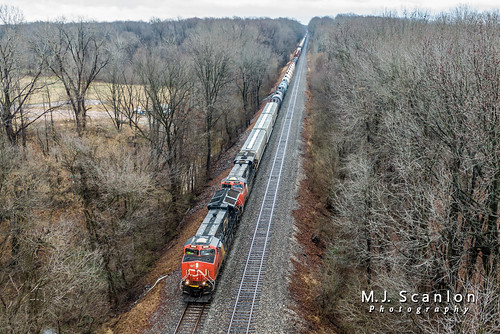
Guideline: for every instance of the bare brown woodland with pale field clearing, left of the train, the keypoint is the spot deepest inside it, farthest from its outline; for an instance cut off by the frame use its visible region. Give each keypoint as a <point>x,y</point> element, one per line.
<point>85,204</point>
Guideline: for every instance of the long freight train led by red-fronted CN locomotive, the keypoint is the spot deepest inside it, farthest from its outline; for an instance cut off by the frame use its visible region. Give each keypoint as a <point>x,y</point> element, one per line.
<point>205,251</point>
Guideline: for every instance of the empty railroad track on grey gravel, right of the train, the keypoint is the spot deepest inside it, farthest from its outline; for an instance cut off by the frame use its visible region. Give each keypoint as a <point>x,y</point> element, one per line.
<point>248,295</point>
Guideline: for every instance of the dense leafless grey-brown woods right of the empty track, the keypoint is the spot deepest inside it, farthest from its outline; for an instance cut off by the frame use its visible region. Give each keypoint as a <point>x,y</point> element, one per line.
<point>406,152</point>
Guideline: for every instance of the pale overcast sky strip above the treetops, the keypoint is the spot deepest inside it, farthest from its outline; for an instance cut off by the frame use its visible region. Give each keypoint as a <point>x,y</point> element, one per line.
<point>302,10</point>
